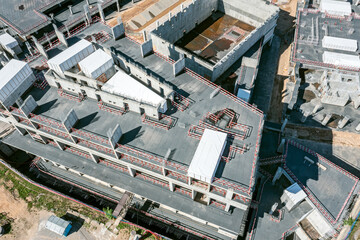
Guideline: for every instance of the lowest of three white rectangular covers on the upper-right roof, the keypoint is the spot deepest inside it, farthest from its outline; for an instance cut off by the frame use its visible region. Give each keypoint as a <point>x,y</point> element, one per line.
<point>343,60</point>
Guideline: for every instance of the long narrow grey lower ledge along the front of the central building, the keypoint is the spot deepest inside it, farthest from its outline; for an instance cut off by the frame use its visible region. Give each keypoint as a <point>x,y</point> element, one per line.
<point>231,221</point>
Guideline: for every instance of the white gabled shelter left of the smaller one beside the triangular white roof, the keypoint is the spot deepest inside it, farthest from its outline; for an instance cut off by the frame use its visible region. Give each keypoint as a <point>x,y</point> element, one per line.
<point>71,56</point>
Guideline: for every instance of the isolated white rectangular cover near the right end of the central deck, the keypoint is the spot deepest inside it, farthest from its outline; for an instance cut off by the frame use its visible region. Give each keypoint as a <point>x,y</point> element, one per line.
<point>207,155</point>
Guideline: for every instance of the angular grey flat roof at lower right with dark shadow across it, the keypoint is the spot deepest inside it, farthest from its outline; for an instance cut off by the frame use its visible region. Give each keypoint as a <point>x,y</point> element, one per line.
<point>330,185</point>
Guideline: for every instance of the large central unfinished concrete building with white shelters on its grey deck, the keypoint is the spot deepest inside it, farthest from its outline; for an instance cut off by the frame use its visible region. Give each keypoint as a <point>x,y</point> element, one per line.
<point>108,125</point>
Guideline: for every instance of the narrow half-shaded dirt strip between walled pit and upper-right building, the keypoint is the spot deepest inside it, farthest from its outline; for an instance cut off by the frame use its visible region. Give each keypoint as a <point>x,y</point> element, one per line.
<point>285,31</point>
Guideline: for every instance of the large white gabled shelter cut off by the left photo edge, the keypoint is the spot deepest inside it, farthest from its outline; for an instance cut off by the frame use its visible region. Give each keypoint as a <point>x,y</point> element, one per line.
<point>11,76</point>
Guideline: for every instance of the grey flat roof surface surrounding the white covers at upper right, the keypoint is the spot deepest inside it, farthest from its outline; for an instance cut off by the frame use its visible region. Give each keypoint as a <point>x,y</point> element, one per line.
<point>312,53</point>
